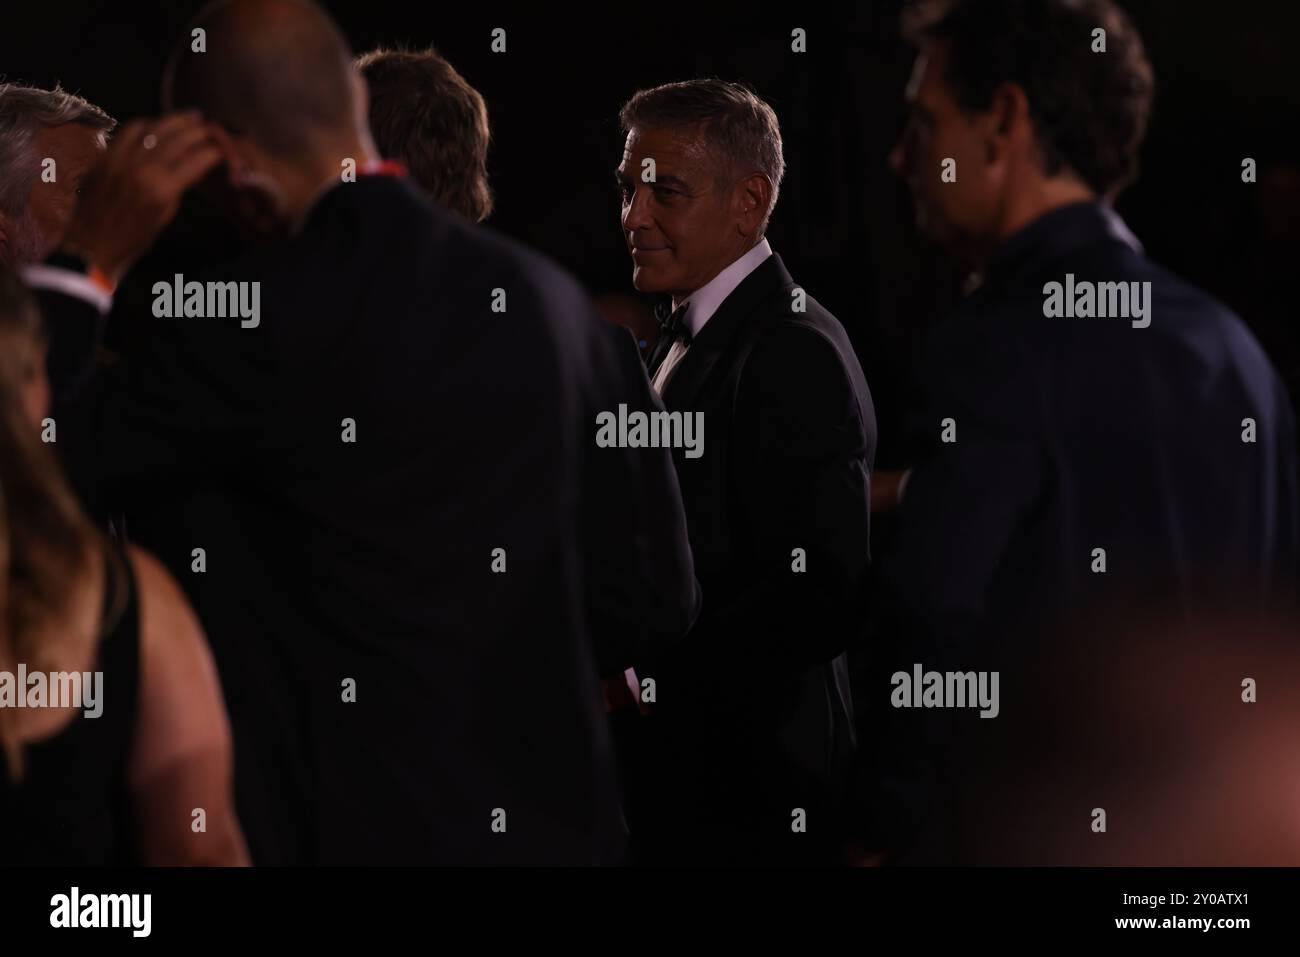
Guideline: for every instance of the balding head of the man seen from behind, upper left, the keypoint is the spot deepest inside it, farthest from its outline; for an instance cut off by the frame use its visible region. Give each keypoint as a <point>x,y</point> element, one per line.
<point>278,72</point>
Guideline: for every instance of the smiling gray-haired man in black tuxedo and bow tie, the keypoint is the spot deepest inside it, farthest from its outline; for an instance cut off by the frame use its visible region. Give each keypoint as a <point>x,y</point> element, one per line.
<point>752,724</point>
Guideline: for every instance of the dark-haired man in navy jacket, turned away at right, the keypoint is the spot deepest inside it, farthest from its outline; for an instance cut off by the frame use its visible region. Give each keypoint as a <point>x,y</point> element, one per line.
<point>1100,439</point>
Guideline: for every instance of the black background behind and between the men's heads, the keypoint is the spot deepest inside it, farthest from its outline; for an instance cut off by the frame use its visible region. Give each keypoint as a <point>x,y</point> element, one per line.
<point>1229,88</point>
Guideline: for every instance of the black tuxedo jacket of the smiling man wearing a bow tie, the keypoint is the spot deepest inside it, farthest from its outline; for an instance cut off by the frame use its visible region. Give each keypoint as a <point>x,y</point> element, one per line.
<point>753,711</point>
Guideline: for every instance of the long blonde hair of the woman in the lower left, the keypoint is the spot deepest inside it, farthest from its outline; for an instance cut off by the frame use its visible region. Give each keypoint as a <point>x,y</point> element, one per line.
<point>51,556</point>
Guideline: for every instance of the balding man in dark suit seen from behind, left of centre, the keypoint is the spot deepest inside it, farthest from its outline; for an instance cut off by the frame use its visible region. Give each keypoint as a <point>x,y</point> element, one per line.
<point>387,456</point>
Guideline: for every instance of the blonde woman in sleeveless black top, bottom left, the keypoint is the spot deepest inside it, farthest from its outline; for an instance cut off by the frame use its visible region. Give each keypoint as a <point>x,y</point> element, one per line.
<point>111,716</point>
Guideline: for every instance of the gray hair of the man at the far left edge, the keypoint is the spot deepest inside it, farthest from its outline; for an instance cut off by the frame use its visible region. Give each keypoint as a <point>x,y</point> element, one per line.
<point>24,112</point>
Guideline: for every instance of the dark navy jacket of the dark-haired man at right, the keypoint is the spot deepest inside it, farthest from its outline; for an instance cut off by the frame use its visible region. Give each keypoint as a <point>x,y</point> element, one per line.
<point>1077,435</point>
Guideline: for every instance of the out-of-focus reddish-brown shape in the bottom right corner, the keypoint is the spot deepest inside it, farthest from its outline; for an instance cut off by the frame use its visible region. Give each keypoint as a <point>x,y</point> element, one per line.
<point>1142,744</point>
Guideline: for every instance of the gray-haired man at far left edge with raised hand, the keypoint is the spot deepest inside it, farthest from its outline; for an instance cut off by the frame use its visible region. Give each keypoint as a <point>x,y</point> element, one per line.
<point>73,223</point>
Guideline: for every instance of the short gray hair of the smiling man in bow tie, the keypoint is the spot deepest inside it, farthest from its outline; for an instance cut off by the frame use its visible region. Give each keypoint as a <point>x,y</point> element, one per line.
<point>733,118</point>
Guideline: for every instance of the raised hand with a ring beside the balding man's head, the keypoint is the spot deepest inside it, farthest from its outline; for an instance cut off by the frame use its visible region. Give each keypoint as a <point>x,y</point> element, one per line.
<point>136,189</point>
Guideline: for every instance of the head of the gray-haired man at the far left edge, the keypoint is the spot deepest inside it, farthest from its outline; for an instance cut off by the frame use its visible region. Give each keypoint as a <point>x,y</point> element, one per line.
<point>50,140</point>
